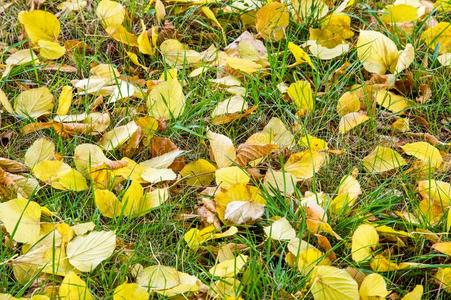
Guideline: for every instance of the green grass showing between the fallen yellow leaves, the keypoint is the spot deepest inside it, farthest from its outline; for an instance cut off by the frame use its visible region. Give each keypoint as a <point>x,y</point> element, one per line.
<point>157,238</point>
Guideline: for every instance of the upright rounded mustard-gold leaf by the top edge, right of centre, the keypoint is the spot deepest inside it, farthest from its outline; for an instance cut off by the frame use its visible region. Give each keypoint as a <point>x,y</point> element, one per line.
<point>271,21</point>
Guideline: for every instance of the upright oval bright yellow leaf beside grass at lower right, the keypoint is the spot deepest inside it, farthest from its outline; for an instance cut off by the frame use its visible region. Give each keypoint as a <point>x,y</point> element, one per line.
<point>364,240</point>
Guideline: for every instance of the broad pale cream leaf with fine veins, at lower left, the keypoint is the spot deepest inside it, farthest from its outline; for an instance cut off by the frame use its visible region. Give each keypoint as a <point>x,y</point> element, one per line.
<point>86,252</point>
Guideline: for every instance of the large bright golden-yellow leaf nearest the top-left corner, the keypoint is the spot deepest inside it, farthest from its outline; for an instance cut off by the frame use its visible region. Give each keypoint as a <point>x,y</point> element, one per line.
<point>40,25</point>
